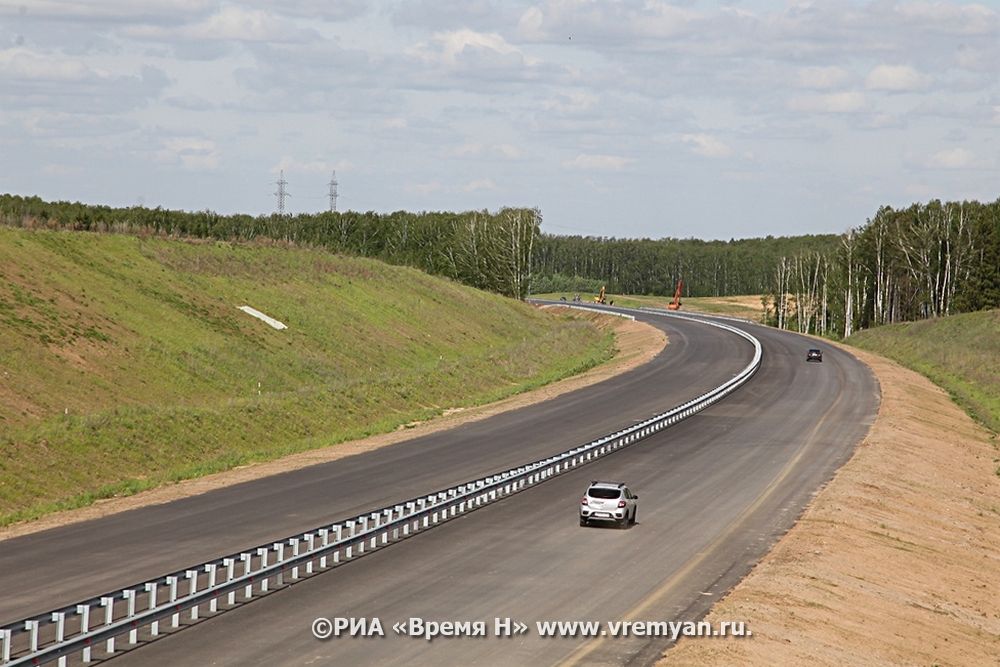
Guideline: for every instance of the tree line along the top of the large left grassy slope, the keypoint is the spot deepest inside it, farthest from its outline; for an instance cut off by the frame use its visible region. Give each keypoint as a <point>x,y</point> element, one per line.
<point>487,250</point>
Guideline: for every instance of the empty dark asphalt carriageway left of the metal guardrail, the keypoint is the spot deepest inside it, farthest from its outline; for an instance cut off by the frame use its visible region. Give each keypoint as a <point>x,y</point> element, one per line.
<point>86,559</point>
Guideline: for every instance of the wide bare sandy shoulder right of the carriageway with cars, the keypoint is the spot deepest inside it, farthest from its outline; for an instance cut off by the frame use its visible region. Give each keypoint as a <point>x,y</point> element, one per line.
<point>896,561</point>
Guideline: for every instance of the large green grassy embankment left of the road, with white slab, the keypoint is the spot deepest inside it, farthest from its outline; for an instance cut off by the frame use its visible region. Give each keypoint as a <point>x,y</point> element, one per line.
<point>125,363</point>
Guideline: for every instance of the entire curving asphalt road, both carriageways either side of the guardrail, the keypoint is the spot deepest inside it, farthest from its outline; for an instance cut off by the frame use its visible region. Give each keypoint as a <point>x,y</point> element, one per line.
<point>716,491</point>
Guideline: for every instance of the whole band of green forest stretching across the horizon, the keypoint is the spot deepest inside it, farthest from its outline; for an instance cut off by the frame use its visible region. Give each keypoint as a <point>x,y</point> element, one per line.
<point>926,260</point>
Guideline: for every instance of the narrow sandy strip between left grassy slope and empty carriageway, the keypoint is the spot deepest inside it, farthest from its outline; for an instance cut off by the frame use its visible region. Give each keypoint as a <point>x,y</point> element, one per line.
<point>636,343</point>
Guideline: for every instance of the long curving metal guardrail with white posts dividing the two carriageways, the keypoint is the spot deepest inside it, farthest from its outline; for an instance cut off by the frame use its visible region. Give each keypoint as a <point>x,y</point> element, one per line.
<point>96,624</point>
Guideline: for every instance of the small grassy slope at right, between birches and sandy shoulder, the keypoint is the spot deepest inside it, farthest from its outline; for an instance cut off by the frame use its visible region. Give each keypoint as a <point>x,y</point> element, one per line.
<point>960,353</point>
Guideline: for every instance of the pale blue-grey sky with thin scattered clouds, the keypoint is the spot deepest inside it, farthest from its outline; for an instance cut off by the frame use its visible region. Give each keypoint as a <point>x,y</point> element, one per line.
<point>619,118</point>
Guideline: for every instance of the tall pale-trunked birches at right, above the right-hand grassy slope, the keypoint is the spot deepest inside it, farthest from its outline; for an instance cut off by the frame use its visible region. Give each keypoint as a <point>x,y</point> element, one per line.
<point>927,260</point>
